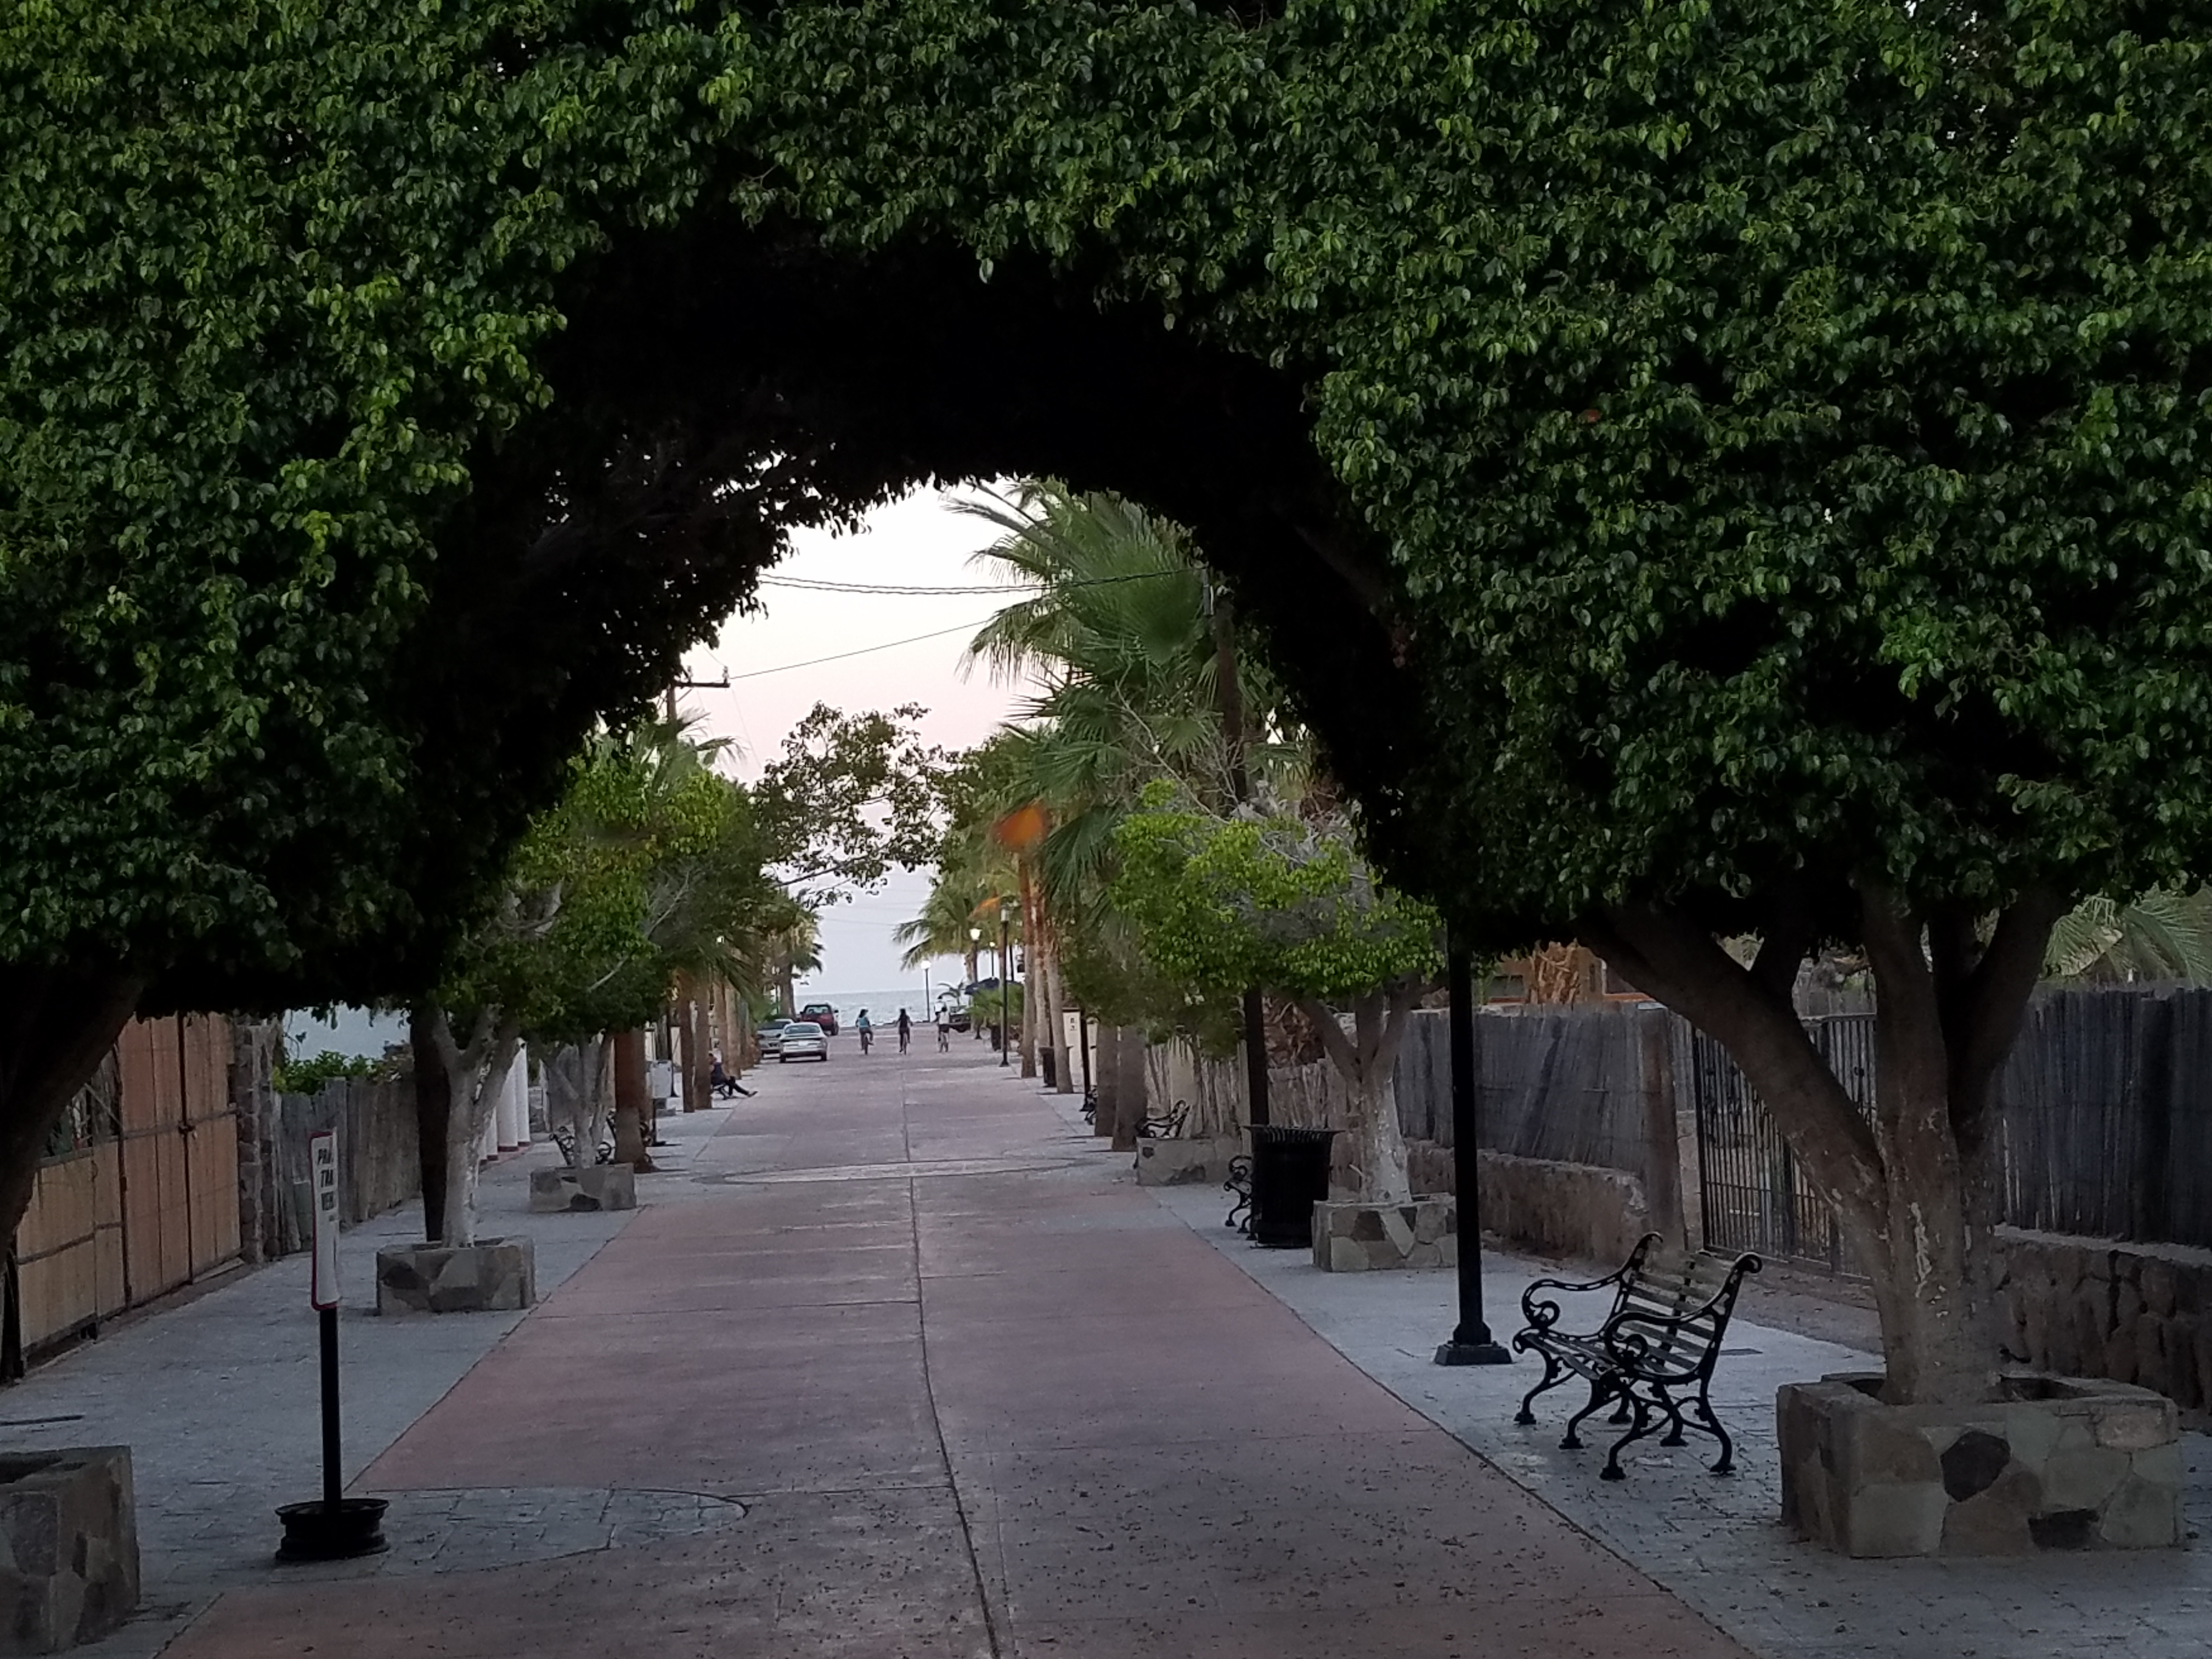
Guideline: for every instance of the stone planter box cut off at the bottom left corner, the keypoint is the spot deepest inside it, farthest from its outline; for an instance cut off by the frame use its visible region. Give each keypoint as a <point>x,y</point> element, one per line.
<point>67,1547</point>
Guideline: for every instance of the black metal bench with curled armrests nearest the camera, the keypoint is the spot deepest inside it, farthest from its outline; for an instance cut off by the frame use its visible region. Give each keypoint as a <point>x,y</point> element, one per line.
<point>1653,1355</point>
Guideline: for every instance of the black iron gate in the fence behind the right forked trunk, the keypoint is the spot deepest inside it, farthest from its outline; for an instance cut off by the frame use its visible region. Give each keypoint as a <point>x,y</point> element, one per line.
<point>1755,1198</point>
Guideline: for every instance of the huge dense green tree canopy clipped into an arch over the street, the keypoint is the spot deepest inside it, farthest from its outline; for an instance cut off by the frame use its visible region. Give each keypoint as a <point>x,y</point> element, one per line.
<point>1700,466</point>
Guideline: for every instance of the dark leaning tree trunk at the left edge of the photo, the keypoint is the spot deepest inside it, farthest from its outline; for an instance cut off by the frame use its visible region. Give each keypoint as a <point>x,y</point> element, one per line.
<point>56,1027</point>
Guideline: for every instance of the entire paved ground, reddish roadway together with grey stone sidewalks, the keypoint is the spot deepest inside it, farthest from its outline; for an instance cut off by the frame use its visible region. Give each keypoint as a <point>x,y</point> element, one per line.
<point>897,1361</point>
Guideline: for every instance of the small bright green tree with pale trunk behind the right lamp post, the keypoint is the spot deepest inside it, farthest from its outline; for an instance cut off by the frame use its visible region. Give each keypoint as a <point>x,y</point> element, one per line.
<point>1288,906</point>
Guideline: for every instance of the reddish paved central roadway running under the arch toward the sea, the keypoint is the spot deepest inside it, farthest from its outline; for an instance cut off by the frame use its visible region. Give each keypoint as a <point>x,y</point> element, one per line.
<point>959,1390</point>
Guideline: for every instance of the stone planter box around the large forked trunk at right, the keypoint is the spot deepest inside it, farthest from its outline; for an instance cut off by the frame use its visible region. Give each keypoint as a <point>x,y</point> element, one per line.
<point>2065,1463</point>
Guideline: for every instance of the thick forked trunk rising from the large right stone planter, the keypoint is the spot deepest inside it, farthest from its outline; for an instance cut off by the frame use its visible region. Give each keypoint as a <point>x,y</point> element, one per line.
<point>1914,1185</point>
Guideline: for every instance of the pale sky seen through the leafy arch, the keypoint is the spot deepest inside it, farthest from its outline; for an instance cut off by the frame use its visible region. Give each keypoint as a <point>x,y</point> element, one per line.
<point>912,543</point>
